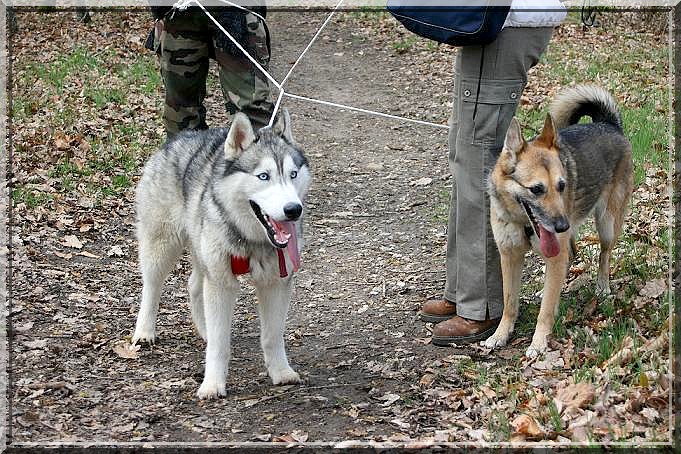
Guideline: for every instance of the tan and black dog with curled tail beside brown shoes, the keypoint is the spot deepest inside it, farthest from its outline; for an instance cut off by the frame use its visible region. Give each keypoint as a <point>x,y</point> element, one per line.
<point>542,190</point>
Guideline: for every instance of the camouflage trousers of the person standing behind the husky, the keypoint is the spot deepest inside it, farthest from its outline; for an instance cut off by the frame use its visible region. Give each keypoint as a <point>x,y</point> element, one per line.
<point>186,41</point>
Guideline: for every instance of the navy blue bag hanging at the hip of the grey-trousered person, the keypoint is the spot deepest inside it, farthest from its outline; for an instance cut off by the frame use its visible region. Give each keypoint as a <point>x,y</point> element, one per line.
<point>453,25</point>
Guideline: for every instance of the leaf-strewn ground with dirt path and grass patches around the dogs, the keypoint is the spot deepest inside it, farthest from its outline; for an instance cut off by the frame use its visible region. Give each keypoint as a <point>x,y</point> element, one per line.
<point>86,101</point>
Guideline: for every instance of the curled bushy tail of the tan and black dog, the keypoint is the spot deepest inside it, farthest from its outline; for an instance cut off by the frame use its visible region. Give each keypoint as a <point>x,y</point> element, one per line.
<point>573,103</point>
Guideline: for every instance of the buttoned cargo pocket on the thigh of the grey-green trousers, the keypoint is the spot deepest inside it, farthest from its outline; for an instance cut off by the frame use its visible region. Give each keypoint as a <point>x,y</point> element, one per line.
<point>496,105</point>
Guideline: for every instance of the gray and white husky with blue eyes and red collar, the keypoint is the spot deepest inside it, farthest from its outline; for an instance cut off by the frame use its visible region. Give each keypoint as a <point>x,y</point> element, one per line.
<point>235,198</point>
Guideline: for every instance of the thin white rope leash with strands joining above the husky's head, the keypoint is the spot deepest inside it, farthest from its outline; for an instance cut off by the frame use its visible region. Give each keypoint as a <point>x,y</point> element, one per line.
<point>184,4</point>
